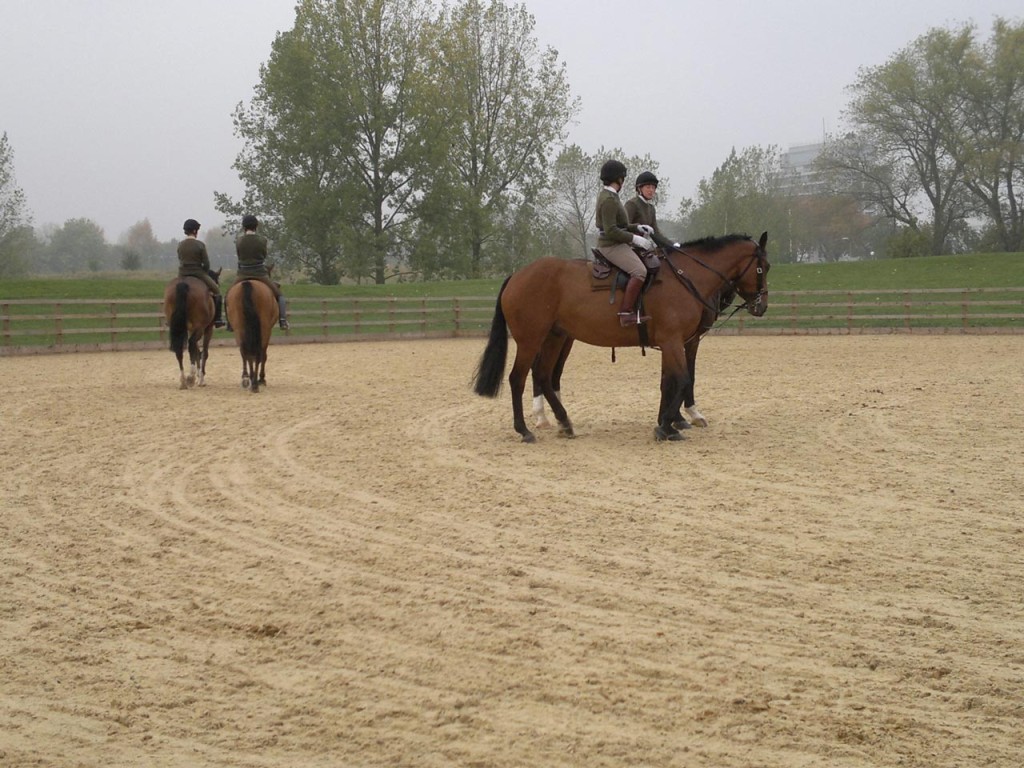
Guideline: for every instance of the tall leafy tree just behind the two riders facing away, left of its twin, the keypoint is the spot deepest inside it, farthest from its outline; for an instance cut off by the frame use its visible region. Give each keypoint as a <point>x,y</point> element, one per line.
<point>336,137</point>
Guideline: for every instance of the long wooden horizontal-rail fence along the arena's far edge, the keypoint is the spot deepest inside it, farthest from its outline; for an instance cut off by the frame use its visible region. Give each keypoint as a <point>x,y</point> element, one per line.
<point>32,326</point>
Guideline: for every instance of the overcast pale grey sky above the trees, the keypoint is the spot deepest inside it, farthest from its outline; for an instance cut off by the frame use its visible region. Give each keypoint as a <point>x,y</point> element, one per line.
<point>121,110</point>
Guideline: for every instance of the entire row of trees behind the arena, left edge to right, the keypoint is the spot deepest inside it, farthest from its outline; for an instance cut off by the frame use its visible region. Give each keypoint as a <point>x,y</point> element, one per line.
<point>396,139</point>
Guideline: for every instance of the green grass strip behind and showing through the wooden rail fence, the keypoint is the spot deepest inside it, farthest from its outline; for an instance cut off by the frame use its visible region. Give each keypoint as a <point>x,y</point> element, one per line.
<point>854,295</point>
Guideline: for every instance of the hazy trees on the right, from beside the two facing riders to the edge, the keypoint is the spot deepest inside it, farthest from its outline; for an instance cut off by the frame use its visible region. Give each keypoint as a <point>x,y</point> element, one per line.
<point>931,161</point>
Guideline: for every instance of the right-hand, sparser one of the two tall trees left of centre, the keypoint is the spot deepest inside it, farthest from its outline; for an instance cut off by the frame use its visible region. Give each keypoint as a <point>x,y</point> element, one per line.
<point>500,107</point>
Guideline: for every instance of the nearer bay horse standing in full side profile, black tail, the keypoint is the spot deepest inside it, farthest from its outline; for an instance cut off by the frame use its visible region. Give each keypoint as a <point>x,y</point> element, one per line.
<point>551,301</point>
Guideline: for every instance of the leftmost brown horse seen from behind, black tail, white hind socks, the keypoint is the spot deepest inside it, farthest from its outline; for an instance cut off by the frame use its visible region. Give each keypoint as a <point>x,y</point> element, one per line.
<point>189,314</point>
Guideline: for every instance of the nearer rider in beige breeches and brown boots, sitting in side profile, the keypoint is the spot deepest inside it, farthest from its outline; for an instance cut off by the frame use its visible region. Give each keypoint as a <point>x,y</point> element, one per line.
<point>617,238</point>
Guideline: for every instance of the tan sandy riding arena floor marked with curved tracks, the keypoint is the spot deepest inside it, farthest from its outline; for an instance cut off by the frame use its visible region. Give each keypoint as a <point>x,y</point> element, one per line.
<point>363,566</point>
